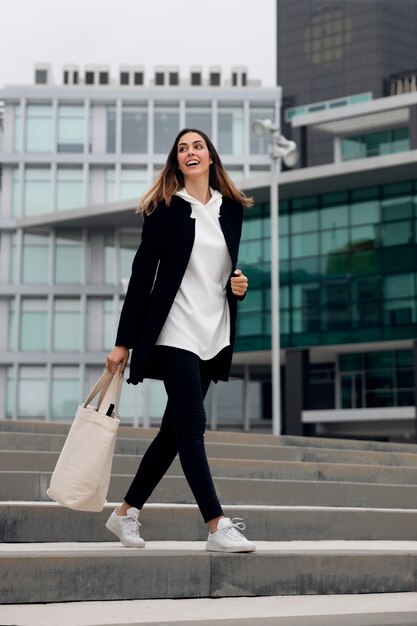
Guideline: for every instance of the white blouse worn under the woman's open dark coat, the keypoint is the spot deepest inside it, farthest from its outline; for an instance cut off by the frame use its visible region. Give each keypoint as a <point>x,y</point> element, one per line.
<point>199,319</point>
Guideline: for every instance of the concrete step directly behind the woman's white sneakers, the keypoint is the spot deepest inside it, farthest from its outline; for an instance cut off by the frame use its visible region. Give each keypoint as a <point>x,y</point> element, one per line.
<point>26,522</point>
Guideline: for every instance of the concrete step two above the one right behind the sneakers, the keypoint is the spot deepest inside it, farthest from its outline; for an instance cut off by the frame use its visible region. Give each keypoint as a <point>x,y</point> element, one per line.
<point>17,460</point>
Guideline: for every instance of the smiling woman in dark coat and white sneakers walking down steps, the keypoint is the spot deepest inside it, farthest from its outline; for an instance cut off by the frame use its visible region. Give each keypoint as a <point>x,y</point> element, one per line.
<point>179,318</point>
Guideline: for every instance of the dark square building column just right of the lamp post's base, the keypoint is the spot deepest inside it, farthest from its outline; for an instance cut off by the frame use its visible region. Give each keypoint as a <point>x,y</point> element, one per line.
<point>296,390</point>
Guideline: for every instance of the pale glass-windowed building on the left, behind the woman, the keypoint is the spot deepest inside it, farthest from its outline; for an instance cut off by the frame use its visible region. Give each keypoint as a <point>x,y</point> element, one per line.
<point>75,158</point>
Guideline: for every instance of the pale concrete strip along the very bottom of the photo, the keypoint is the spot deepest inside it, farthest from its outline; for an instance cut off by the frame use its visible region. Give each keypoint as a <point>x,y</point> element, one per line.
<point>384,609</point>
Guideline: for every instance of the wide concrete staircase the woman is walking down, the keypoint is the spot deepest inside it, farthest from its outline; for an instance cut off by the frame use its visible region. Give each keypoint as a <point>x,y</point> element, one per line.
<point>328,517</point>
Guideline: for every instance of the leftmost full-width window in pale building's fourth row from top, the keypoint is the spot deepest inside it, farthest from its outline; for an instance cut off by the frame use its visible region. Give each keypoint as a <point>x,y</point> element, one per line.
<point>34,324</point>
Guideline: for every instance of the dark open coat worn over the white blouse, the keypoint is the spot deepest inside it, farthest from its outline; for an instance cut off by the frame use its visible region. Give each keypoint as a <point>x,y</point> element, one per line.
<point>158,268</point>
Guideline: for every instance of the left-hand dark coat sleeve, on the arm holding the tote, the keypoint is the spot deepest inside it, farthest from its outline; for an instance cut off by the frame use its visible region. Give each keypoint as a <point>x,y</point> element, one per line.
<point>144,269</point>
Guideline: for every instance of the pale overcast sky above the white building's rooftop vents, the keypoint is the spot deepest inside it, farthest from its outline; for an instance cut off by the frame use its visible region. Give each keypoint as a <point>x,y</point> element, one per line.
<point>145,32</point>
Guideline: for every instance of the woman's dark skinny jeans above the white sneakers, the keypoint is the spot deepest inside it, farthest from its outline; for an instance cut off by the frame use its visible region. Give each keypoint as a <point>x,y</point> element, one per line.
<point>186,379</point>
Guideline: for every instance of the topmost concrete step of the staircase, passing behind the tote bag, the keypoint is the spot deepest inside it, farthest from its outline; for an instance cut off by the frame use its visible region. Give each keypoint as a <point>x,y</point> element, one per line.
<point>42,427</point>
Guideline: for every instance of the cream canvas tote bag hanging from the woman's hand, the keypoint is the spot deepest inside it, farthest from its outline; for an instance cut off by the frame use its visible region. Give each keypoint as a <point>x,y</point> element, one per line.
<point>82,474</point>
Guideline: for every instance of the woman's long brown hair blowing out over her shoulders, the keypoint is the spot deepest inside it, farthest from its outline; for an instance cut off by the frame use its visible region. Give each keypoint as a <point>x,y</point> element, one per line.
<point>171,179</point>
